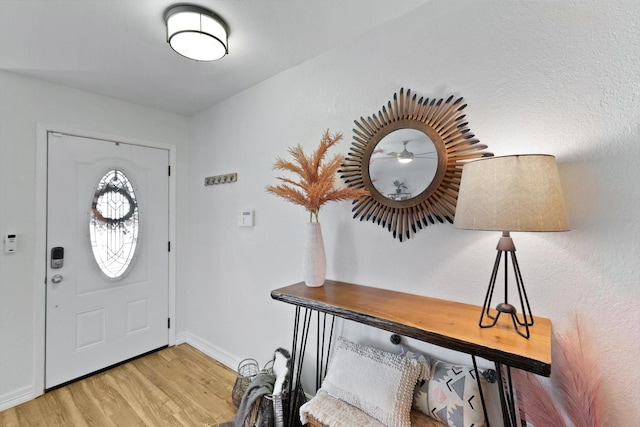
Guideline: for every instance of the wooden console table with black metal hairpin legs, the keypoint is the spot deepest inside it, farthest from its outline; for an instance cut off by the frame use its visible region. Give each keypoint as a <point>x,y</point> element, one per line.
<point>443,323</point>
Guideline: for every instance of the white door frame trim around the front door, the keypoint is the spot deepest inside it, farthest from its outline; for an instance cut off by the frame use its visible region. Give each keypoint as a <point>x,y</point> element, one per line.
<point>40,260</point>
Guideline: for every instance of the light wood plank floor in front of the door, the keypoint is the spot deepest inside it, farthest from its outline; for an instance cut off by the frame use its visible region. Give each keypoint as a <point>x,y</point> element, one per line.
<point>177,386</point>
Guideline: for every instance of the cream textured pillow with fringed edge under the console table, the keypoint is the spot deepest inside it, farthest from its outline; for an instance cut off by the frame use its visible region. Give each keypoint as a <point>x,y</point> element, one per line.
<point>380,384</point>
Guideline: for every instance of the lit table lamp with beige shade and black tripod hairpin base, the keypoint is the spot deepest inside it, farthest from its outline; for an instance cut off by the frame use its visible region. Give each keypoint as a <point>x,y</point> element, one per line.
<point>510,193</point>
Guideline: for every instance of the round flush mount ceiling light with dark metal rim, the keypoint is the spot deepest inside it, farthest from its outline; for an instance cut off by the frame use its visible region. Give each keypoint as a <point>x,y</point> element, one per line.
<point>196,33</point>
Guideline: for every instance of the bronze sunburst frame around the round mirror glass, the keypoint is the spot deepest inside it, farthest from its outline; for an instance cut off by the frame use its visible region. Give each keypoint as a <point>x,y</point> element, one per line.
<point>443,122</point>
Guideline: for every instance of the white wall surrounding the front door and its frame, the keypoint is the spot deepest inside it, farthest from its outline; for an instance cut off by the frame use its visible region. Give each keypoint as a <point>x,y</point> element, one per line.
<point>25,102</point>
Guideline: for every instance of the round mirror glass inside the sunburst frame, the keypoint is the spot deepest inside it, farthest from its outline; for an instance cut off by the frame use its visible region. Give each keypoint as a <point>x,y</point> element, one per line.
<point>403,164</point>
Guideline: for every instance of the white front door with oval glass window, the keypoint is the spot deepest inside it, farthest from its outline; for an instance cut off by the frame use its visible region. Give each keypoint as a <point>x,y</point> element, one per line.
<point>107,261</point>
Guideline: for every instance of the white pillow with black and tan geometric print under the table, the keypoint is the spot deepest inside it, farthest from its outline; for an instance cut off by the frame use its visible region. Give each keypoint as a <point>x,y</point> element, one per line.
<point>451,396</point>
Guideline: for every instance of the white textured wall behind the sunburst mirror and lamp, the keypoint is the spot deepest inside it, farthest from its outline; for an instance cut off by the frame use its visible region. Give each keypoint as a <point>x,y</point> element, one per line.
<point>539,77</point>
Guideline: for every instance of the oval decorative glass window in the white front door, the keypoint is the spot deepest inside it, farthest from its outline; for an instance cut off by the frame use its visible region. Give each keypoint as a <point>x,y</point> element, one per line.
<point>113,224</point>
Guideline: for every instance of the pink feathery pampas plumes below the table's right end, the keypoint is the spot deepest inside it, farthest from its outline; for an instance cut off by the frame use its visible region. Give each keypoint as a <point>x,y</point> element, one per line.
<point>576,378</point>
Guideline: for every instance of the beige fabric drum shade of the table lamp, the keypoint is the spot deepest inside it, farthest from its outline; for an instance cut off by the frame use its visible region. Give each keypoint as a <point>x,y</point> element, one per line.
<point>511,193</point>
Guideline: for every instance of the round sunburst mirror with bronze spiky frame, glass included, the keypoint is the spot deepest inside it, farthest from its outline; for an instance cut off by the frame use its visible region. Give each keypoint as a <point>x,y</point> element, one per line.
<point>410,156</point>
